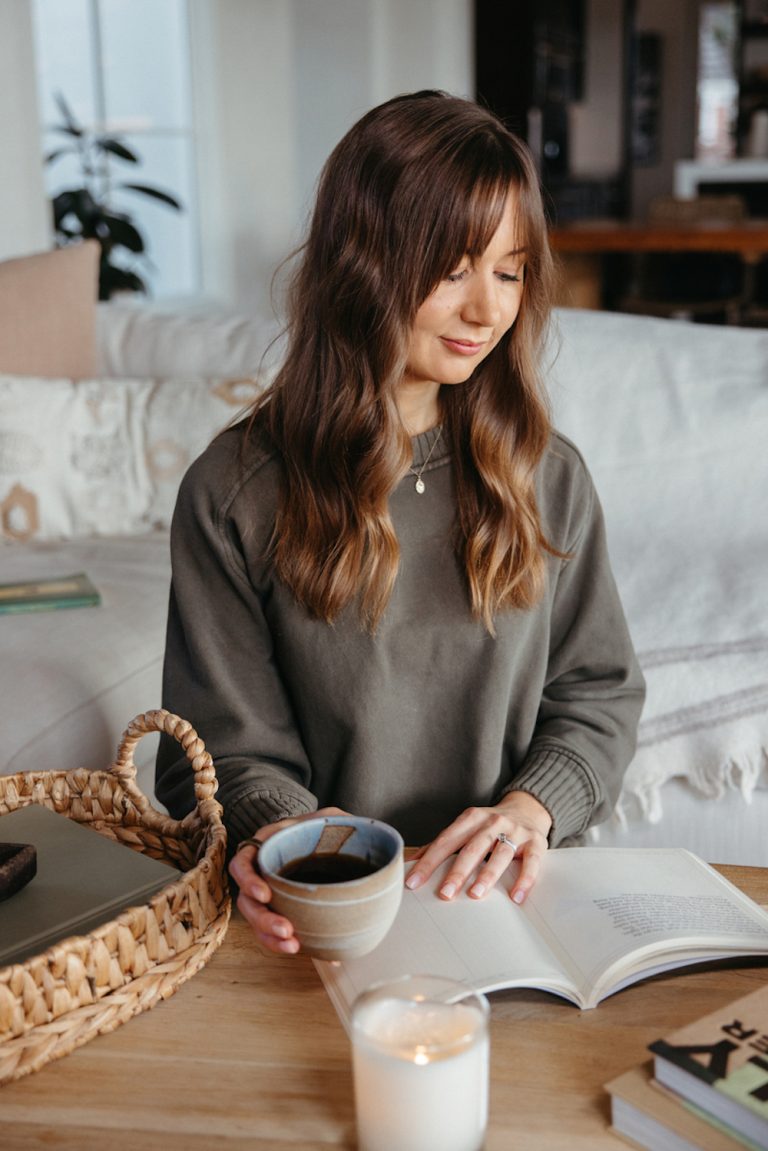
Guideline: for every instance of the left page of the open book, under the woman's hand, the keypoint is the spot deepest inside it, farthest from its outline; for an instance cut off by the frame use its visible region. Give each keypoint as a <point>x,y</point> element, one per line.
<point>489,946</point>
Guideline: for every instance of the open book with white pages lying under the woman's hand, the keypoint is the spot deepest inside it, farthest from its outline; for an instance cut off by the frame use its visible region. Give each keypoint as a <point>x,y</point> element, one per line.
<point>598,920</point>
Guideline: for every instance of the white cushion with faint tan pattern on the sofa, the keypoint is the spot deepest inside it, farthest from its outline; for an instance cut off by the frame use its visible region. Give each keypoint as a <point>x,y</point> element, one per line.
<point>103,458</point>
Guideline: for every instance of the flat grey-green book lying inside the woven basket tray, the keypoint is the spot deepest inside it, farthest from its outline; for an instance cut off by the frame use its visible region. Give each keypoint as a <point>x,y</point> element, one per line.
<point>83,880</point>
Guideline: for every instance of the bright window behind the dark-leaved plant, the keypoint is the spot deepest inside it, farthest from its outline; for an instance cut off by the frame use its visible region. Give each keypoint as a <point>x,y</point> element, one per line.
<point>124,67</point>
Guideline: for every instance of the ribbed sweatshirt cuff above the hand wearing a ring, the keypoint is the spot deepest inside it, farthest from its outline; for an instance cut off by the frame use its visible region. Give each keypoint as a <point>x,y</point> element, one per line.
<point>564,783</point>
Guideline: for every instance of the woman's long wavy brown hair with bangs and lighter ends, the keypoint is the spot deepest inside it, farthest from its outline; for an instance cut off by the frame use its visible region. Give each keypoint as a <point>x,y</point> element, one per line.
<point>416,185</point>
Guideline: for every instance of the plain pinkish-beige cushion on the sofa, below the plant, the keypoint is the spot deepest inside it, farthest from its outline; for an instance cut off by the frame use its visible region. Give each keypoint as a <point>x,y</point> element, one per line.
<point>48,312</point>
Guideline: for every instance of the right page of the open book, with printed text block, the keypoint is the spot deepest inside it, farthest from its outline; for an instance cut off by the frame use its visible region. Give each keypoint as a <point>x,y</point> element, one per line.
<point>604,909</point>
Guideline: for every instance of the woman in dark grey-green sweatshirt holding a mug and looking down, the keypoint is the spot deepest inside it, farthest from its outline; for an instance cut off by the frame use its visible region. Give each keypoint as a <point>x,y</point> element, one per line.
<point>391,590</point>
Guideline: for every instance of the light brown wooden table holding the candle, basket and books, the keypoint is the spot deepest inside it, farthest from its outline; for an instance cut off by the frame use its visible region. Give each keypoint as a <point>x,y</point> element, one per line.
<point>249,1055</point>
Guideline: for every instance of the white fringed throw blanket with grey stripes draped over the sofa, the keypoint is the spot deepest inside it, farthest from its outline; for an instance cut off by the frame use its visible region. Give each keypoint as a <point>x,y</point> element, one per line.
<point>673,421</point>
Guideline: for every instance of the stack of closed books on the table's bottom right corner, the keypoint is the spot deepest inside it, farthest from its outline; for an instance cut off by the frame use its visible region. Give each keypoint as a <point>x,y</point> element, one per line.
<point>706,1088</point>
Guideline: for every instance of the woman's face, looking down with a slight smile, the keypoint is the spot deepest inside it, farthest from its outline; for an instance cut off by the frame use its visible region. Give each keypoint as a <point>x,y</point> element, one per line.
<point>465,318</point>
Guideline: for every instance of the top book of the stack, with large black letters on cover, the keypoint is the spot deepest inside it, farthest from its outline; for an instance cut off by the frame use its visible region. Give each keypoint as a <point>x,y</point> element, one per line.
<point>720,1063</point>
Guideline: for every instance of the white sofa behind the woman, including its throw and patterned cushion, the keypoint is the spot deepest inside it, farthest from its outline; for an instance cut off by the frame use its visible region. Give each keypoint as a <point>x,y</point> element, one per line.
<point>673,420</point>
